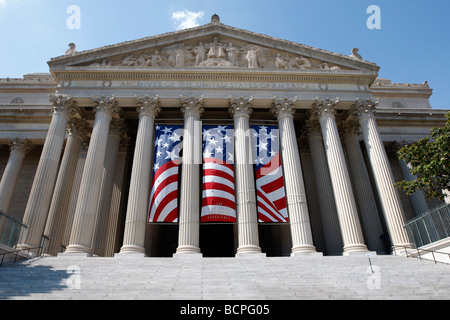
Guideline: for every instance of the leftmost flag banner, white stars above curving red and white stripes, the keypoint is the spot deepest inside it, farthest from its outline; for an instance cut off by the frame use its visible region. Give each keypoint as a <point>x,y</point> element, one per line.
<point>164,194</point>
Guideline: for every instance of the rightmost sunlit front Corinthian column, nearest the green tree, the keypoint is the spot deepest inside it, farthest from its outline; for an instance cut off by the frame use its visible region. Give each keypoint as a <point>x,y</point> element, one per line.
<point>390,199</point>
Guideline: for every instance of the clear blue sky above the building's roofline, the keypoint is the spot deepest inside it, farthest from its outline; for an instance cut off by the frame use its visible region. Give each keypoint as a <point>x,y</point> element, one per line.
<point>413,44</point>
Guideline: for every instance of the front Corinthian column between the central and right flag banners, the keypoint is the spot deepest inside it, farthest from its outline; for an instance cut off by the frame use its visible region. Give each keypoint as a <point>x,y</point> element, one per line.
<point>245,182</point>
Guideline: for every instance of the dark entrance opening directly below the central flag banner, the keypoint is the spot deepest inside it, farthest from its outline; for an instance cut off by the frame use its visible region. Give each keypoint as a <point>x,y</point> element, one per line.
<point>217,240</point>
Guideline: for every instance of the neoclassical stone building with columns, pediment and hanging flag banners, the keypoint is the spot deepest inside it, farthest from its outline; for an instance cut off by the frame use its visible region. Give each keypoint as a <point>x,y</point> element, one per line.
<point>80,148</point>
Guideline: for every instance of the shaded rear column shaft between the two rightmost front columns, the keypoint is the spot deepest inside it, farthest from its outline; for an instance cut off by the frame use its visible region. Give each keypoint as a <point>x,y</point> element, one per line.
<point>365,198</point>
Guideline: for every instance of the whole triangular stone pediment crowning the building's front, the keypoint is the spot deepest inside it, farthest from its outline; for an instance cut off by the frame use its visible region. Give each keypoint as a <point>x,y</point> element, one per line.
<point>214,45</point>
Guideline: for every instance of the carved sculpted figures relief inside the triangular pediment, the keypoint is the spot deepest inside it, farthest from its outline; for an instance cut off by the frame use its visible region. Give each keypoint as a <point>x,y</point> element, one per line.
<point>221,55</point>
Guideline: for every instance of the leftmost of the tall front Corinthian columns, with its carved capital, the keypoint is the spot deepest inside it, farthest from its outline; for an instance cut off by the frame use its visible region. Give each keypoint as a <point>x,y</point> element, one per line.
<point>44,181</point>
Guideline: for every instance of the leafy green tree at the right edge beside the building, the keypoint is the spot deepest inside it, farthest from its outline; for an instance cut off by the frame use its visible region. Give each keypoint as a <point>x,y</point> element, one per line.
<point>429,159</point>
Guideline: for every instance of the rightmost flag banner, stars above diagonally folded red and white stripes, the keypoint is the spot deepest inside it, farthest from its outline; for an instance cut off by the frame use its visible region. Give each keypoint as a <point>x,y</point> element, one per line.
<point>270,192</point>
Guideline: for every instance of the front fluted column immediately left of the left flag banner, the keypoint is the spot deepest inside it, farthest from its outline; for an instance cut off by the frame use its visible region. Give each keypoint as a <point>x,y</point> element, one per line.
<point>137,207</point>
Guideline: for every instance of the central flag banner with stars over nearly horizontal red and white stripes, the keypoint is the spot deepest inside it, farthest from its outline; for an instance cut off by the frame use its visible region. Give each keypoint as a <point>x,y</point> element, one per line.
<point>218,198</point>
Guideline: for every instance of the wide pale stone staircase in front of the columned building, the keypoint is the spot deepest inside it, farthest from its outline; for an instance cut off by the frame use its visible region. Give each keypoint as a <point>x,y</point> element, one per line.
<point>252,278</point>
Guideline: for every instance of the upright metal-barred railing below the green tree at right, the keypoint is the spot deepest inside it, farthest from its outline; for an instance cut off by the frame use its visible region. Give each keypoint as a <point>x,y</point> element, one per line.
<point>432,226</point>
